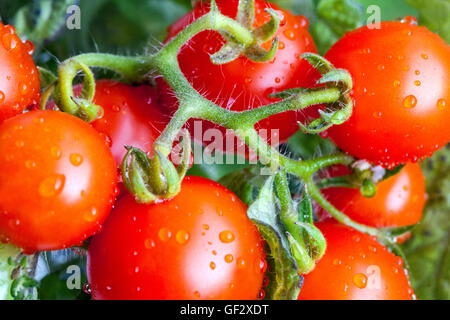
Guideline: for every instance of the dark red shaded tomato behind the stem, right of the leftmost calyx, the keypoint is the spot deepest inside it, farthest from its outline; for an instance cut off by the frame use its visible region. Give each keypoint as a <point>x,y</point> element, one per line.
<point>131,116</point>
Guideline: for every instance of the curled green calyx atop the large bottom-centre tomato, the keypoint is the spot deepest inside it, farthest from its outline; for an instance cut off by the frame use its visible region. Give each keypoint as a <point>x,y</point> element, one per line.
<point>156,178</point>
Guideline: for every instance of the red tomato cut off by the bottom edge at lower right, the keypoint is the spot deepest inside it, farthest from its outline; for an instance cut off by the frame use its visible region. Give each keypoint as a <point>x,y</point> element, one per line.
<point>355,267</point>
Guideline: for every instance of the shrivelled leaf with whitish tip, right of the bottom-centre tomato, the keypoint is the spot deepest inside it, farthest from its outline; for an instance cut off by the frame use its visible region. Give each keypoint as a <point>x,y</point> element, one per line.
<point>284,282</point>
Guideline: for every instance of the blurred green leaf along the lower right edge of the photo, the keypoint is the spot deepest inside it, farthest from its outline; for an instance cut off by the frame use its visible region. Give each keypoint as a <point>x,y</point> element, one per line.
<point>428,251</point>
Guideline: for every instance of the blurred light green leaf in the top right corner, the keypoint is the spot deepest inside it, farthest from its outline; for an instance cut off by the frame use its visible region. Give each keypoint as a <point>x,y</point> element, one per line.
<point>435,14</point>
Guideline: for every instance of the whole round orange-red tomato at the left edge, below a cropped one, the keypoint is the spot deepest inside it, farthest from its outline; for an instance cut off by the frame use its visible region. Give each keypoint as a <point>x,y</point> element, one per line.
<point>58,180</point>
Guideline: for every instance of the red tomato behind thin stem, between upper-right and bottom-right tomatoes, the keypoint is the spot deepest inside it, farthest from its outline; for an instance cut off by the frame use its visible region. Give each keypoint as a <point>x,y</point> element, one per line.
<point>399,200</point>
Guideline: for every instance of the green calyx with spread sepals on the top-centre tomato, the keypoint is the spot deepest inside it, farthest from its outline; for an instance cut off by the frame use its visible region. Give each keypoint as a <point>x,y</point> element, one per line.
<point>232,50</point>
